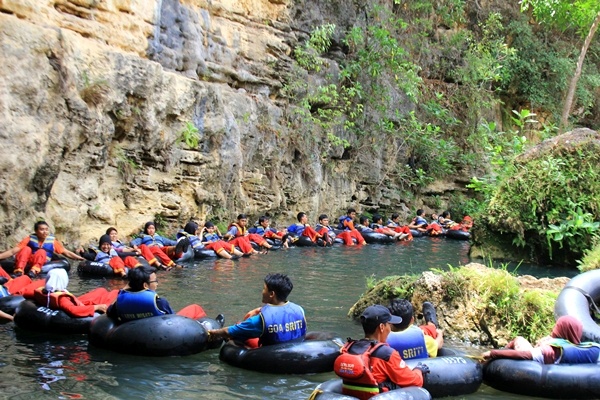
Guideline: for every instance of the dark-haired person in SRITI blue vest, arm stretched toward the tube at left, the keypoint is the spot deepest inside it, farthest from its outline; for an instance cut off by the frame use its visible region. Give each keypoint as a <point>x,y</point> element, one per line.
<point>277,321</point>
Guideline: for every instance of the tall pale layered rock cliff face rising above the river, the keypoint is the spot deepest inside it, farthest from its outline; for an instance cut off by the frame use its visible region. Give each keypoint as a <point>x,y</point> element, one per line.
<point>95,95</point>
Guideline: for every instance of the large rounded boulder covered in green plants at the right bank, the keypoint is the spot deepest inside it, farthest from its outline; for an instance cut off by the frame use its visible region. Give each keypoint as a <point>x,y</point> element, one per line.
<point>549,201</point>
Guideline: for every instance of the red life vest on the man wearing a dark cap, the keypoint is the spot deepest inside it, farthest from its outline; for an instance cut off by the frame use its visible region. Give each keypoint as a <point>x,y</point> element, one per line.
<point>355,371</point>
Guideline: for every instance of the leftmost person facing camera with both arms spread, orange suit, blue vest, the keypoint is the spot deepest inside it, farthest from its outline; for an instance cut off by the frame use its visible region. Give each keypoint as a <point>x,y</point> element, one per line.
<point>36,250</point>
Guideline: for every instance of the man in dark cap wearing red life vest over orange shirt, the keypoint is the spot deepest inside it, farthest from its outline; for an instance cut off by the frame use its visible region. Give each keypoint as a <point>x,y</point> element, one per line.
<point>387,370</point>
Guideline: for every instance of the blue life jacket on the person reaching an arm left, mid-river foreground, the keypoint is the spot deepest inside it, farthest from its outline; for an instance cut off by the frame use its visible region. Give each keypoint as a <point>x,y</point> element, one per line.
<point>281,324</point>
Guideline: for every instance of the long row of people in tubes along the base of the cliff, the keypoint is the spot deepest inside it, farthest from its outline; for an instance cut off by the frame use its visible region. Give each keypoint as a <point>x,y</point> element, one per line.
<point>41,247</point>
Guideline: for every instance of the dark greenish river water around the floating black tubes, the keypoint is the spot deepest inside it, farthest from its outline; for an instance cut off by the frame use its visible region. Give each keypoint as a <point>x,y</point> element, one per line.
<point>327,282</point>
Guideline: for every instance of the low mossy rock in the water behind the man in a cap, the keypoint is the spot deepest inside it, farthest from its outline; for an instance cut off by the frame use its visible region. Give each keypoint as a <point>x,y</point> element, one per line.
<point>475,303</point>
